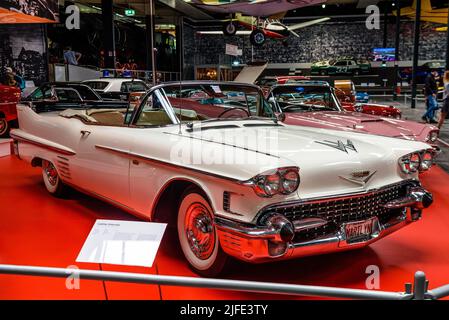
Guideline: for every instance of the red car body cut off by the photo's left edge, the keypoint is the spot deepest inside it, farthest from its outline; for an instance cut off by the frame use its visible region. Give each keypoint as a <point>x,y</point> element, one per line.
<point>9,96</point>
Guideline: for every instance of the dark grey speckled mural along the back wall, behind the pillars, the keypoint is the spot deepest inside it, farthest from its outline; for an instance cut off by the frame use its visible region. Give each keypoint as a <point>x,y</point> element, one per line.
<point>318,42</point>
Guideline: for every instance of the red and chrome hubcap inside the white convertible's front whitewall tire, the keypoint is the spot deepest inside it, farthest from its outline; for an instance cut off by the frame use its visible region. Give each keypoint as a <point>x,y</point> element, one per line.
<point>199,231</point>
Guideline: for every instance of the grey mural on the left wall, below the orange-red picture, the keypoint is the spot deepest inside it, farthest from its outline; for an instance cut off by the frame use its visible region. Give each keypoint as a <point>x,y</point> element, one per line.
<point>22,47</point>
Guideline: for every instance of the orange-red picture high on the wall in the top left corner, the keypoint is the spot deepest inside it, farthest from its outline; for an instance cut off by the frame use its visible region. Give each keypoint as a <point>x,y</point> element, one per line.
<point>29,11</point>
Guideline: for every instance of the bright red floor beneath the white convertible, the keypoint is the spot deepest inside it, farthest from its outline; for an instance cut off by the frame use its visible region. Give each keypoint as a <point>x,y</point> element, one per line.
<point>39,230</point>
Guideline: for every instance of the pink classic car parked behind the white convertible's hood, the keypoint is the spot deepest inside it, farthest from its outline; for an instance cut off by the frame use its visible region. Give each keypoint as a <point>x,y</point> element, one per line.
<point>316,105</point>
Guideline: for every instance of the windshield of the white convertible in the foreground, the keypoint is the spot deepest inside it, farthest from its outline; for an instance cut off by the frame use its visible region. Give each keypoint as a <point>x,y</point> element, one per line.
<point>198,102</point>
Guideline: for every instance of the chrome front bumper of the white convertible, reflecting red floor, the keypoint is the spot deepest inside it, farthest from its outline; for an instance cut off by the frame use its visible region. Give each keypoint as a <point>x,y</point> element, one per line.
<point>264,243</point>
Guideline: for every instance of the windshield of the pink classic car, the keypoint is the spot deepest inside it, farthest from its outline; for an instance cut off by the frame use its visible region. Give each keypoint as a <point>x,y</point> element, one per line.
<point>305,98</point>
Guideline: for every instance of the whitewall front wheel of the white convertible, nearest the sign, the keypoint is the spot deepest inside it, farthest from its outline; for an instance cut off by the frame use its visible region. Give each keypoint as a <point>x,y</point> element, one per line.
<point>210,260</point>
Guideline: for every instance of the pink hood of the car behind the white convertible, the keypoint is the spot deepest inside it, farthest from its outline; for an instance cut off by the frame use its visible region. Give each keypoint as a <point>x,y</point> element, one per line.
<point>357,122</point>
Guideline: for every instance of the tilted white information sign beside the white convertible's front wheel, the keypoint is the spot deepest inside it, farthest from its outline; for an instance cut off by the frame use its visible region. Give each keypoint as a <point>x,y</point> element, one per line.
<point>130,243</point>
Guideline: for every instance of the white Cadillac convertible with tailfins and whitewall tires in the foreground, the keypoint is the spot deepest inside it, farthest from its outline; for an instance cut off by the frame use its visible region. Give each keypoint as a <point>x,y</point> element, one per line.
<point>211,158</point>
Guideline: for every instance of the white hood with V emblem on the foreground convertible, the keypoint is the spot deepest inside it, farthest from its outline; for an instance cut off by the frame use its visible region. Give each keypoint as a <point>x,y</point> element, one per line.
<point>323,165</point>
